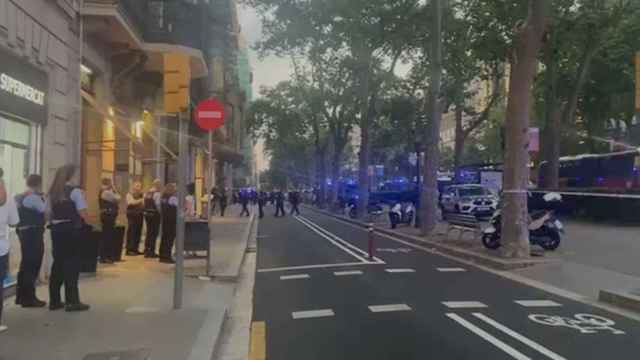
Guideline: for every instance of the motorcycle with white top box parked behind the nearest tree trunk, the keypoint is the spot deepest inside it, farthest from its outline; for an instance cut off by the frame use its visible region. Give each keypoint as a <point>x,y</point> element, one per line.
<point>544,228</point>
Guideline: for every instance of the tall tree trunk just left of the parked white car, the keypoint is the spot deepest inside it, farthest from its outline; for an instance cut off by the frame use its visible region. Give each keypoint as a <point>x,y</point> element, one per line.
<point>429,195</point>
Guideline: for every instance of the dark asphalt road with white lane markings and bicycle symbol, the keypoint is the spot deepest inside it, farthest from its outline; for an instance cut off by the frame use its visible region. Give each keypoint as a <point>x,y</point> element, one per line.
<point>321,298</point>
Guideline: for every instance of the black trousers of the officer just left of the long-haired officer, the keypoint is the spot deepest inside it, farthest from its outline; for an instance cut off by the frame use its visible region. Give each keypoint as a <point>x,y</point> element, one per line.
<point>32,249</point>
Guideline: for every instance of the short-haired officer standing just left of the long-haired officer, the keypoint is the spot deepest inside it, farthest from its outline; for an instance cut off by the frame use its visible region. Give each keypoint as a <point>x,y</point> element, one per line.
<point>31,209</point>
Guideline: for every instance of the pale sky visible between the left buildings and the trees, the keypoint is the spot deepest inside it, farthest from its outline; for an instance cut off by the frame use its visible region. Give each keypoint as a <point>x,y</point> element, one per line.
<point>266,72</point>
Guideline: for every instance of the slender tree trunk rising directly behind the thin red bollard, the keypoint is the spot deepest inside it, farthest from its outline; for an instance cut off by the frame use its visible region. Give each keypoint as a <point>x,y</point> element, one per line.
<point>364,73</point>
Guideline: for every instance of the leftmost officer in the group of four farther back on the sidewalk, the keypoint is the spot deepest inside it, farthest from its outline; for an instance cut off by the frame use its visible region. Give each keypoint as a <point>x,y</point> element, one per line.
<point>108,200</point>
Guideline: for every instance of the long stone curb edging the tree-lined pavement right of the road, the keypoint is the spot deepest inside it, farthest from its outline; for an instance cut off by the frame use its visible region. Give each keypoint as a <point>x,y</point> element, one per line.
<point>495,263</point>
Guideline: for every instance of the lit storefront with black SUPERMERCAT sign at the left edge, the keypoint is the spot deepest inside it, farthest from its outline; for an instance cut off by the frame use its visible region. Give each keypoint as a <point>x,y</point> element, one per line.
<point>23,115</point>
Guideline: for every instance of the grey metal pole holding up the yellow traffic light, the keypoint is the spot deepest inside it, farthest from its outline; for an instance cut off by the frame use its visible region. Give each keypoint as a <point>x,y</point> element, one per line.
<point>180,221</point>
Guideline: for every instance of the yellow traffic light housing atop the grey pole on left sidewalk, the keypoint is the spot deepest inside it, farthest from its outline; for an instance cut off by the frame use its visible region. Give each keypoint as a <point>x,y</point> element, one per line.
<point>177,77</point>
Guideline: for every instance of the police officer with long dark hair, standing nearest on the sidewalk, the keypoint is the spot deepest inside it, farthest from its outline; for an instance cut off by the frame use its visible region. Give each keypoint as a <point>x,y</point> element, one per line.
<point>68,208</point>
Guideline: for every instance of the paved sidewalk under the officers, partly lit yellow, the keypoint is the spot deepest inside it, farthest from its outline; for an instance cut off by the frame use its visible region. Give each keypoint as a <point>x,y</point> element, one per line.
<point>131,310</point>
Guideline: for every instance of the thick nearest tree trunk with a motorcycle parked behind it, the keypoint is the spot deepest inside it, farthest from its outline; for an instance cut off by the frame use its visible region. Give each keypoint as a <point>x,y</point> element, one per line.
<point>515,232</point>
